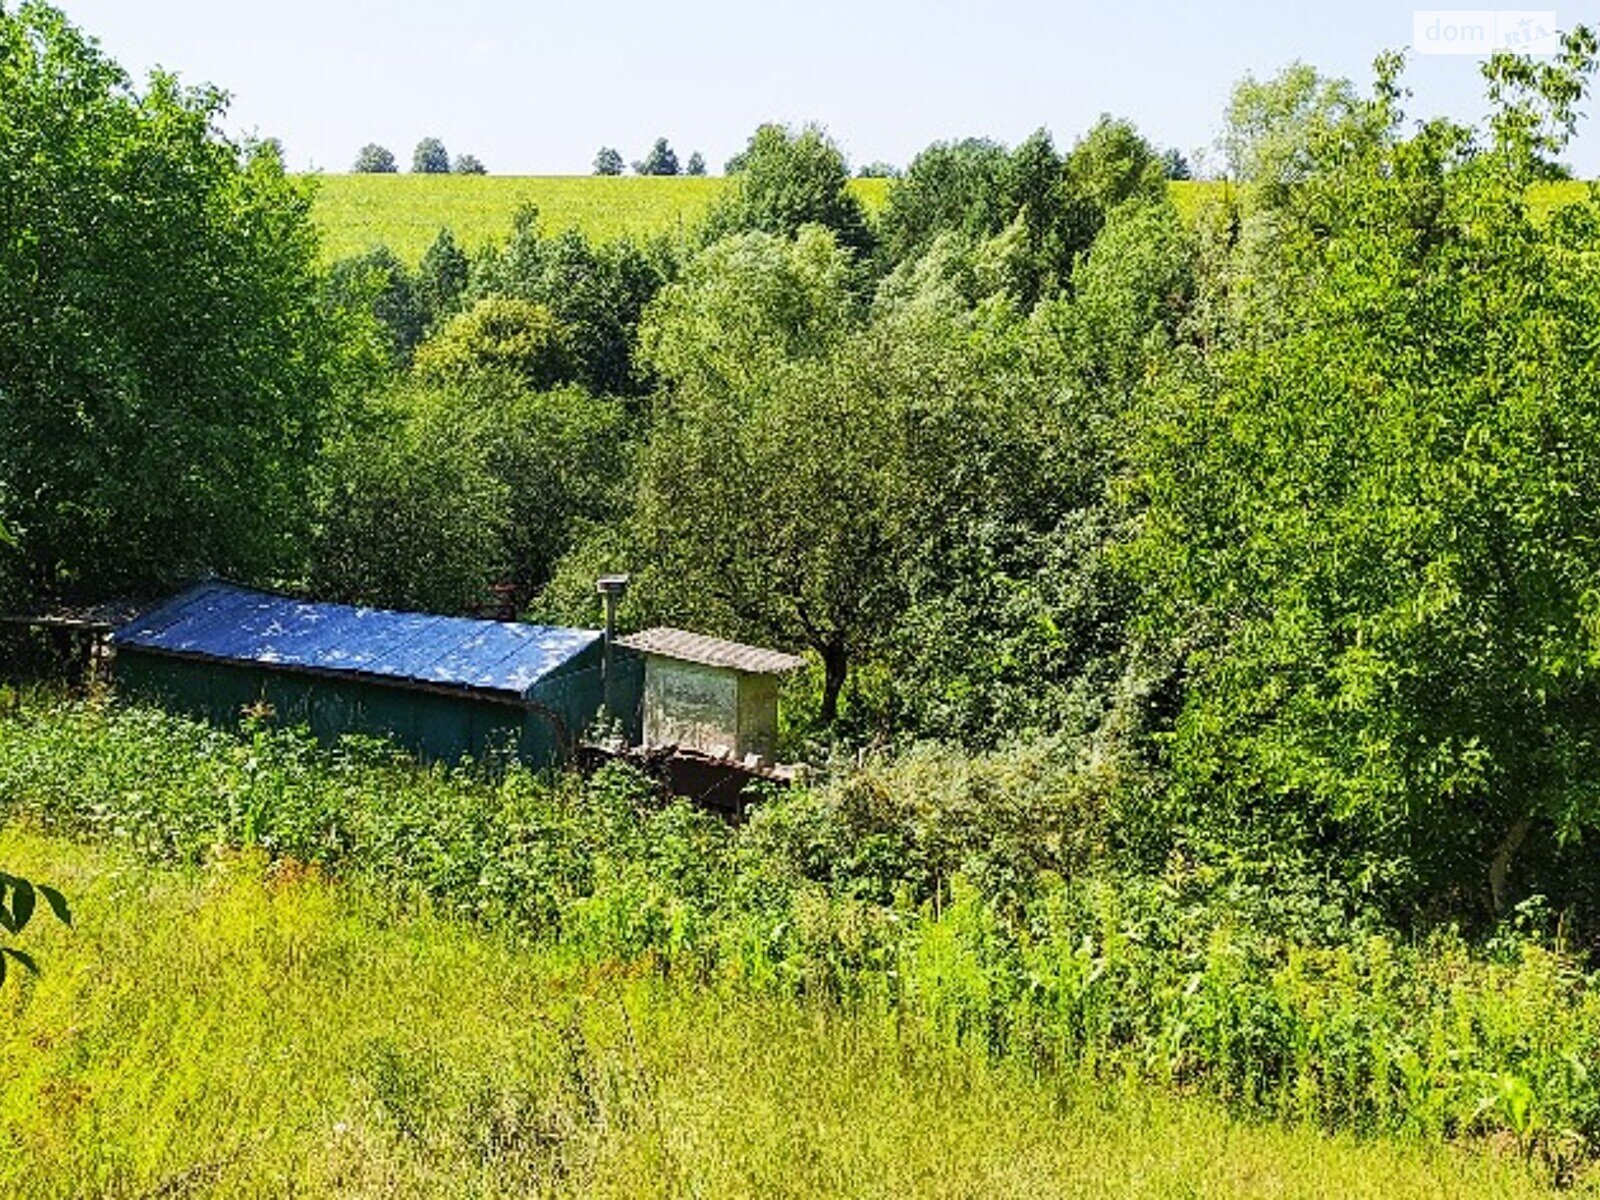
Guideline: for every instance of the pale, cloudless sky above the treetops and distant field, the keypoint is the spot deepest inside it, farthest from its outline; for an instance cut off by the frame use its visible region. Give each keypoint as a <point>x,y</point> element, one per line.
<point>537,89</point>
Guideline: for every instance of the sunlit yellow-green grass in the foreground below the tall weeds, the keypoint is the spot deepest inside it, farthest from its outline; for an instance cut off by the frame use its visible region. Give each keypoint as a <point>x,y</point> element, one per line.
<point>242,1033</point>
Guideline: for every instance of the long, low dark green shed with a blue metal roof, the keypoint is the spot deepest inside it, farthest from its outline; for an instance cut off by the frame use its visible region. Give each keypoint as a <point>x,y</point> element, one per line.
<point>441,686</point>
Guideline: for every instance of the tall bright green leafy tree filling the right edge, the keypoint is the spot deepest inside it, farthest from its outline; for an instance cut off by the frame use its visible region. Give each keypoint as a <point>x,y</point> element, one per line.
<point>1369,543</point>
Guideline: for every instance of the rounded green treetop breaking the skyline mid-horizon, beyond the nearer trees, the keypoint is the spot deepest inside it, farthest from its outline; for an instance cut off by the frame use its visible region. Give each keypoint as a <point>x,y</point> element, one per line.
<point>788,180</point>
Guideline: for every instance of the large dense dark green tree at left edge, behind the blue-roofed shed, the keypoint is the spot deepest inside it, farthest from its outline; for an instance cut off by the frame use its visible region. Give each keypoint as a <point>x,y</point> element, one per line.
<point>166,370</point>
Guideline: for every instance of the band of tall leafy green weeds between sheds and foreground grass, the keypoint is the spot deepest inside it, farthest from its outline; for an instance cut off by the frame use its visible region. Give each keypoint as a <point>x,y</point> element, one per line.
<point>970,900</point>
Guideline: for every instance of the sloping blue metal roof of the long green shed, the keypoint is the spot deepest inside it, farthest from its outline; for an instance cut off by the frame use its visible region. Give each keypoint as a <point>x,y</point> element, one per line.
<point>225,622</point>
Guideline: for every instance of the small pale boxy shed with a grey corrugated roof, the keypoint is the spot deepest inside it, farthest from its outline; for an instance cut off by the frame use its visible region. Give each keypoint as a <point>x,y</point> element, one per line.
<point>703,694</point>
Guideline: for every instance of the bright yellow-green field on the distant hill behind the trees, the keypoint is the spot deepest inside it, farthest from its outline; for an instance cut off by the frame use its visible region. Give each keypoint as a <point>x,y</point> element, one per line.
<point>406,212</point>
